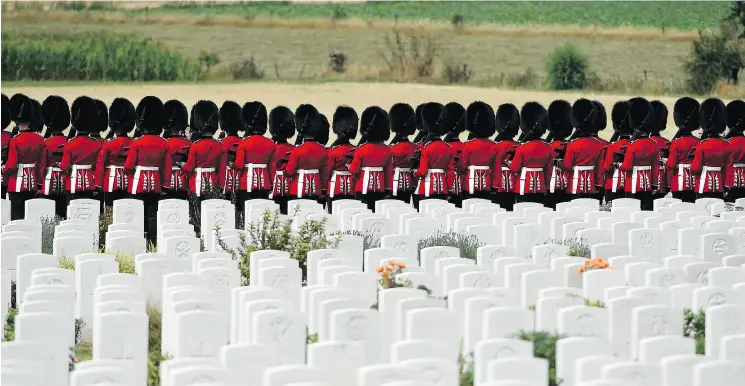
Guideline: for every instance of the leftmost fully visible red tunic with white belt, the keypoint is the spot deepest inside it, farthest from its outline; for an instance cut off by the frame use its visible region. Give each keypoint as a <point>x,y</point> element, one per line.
<point>26,162</point>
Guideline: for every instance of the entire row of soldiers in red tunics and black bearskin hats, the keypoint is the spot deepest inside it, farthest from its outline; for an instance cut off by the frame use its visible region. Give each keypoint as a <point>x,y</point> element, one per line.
<point>174,153</point>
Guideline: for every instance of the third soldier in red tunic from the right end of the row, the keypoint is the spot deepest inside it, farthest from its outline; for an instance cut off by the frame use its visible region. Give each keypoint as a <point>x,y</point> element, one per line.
<point>678,164</point>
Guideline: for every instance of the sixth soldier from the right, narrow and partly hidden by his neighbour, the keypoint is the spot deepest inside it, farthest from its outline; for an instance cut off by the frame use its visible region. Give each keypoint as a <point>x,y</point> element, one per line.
<point>615,181</point>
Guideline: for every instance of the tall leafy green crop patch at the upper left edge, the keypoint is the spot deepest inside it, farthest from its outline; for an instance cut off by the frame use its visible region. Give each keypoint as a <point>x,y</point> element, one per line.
<point>92,56</point>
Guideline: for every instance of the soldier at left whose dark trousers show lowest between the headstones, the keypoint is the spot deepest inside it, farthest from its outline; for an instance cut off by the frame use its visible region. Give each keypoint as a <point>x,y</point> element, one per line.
<point>149,162</point>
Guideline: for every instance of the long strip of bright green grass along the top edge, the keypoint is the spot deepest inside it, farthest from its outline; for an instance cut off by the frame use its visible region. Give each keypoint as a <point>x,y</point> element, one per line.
<point>648,14</point>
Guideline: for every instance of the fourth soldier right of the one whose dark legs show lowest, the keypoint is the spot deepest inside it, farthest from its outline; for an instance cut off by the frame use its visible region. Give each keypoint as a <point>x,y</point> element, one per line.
<point>254,154</point>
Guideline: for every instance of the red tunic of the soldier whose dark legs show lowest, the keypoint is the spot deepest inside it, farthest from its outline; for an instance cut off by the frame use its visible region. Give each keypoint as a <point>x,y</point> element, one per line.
<point>149,164</point>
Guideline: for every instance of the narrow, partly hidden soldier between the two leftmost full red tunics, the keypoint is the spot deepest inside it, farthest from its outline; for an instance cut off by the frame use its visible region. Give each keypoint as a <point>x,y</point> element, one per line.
<point>57,118</point>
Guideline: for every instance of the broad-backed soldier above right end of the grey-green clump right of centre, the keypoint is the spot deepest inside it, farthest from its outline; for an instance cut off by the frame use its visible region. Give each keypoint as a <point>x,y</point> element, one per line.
<point>478,159</point>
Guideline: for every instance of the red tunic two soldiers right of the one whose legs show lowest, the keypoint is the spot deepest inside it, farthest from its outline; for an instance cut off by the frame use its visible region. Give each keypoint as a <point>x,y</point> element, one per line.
<point>205,159</point>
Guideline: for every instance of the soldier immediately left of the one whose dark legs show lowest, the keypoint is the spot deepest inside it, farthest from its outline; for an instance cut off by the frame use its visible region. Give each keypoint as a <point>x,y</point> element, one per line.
<point>111,178</point>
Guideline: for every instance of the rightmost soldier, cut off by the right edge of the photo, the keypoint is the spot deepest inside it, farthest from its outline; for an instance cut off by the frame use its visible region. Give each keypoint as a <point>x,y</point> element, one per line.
<point>735,181</point>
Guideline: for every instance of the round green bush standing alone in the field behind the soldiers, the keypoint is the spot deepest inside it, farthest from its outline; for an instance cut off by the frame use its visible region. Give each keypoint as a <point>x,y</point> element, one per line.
<point>567,68</point>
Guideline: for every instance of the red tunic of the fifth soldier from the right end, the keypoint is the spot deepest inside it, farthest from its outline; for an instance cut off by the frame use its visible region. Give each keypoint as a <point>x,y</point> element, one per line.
<point>641,165</point>
